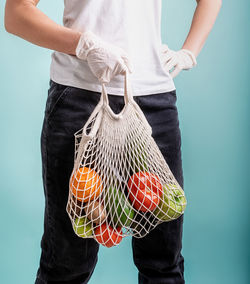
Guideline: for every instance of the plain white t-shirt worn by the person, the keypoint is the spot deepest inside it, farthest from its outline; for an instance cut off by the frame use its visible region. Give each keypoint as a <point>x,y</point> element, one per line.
<point>135,26</point>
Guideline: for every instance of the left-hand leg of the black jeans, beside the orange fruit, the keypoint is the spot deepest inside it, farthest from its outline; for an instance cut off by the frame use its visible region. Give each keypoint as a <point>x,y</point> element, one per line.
<point>65,257</point>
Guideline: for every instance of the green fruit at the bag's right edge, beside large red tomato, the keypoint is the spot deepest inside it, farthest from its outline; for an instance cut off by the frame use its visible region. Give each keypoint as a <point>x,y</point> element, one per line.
<point>172,204</point>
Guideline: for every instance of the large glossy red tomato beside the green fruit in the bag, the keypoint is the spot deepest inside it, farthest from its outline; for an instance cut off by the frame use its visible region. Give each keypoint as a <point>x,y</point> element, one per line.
<point>145,191</point>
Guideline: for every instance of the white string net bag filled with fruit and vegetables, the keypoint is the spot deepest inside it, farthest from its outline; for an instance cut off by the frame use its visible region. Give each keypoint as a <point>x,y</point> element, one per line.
<point>121,184</point>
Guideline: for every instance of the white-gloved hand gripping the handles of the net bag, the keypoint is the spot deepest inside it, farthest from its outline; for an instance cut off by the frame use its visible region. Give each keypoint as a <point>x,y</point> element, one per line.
<point>104,59</point>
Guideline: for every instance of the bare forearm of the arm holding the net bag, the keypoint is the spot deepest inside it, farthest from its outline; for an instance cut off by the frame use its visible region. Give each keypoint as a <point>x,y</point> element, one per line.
<point>31,24</point>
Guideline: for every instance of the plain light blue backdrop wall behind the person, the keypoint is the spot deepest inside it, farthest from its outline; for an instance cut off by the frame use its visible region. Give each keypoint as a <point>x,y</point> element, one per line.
<point>213,103</point>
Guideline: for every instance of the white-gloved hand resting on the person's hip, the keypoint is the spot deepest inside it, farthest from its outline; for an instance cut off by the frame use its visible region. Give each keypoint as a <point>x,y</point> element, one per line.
<point>177,60</point>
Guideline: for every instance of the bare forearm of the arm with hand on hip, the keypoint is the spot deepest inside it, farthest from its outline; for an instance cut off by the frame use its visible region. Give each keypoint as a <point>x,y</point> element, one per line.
<point>203,21</point>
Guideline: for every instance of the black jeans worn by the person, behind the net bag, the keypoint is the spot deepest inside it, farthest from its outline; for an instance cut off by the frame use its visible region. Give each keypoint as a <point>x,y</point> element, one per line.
<point>66,258</point>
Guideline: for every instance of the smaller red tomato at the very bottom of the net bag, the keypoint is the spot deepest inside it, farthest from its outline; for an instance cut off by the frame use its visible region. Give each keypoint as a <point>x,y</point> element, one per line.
<point>107,236</point>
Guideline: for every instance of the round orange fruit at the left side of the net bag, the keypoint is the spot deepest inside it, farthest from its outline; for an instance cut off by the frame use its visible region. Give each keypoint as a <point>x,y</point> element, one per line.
<point>86,184</point>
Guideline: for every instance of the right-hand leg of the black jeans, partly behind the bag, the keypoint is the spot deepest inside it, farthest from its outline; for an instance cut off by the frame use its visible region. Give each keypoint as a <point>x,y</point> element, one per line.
<point>158,254</point>
